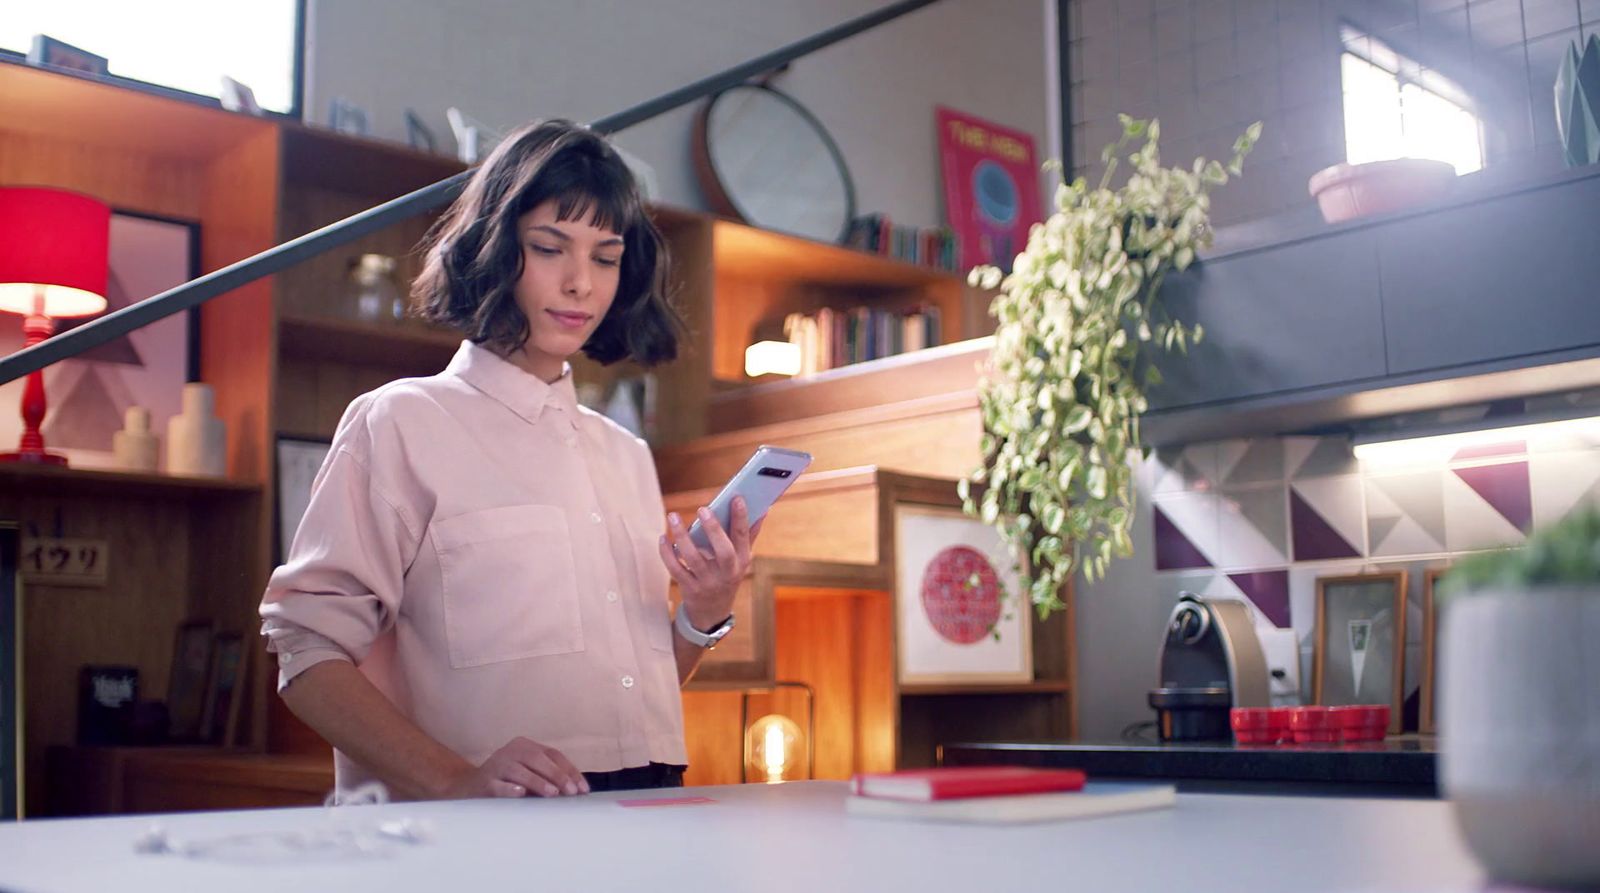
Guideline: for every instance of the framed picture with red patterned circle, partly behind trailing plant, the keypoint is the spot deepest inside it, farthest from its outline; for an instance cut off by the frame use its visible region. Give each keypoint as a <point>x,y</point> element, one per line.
<point>958,603</point>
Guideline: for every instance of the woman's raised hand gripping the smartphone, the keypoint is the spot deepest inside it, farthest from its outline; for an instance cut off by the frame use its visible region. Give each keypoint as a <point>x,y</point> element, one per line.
<point>710,580</point>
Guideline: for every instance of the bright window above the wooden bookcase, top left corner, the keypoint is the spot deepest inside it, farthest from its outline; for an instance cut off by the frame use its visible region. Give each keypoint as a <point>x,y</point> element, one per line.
<point>183,44</point>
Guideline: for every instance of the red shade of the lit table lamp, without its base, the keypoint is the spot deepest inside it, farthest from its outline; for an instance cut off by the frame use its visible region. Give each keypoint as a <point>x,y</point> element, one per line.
<point>54,244</point>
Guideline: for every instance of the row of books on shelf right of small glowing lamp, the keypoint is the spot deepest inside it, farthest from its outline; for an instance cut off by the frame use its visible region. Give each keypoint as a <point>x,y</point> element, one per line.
<point>833,338</point>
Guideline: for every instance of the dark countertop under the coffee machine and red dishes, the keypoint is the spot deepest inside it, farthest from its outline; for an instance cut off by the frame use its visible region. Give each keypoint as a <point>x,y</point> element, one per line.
<point>1399,767</point>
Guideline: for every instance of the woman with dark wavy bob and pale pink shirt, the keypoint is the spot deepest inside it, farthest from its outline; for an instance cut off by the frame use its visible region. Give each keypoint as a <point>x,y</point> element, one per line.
<point>476,603</point>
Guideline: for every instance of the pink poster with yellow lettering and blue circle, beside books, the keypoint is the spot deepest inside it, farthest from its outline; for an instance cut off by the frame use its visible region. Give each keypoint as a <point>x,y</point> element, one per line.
<point>991,188</point>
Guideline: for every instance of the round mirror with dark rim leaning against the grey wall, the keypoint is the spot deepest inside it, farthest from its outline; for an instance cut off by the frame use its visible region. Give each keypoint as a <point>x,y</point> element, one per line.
<point>764,159</point>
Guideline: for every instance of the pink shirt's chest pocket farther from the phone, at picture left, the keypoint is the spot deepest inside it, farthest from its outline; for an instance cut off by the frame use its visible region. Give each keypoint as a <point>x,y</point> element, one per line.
<point>511,587</point>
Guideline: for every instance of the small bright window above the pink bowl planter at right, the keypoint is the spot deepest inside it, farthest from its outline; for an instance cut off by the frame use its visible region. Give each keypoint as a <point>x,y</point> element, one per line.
<point>1394,108</point>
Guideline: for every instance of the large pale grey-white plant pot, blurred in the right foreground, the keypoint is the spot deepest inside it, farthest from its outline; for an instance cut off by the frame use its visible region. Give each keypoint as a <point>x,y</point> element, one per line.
<point>1521,732</point>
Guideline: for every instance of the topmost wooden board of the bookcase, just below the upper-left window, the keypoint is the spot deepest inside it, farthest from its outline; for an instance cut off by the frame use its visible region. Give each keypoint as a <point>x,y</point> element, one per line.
<point>90,111</point>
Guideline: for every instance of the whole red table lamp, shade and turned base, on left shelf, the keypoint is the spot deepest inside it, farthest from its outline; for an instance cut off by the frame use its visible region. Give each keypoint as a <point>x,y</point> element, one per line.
<point>54,265</point>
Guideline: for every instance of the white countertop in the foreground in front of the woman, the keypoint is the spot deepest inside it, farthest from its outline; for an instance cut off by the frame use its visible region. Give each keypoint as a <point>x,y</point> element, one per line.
<point>788,838</point>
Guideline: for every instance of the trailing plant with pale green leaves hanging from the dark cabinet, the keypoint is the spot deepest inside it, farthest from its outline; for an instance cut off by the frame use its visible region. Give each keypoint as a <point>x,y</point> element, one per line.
<point>1070,370</point>
